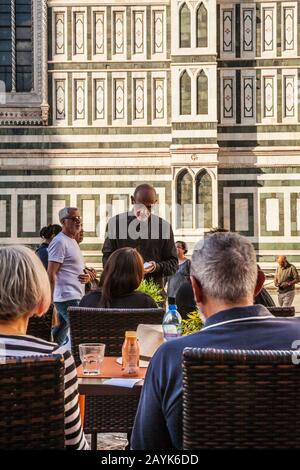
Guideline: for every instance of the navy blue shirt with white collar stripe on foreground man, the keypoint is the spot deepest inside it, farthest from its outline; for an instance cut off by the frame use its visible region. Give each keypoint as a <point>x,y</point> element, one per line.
<point>158,423</point>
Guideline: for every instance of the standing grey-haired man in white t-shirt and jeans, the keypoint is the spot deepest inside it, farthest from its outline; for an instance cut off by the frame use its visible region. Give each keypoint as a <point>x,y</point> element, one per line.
<point>66,270</point>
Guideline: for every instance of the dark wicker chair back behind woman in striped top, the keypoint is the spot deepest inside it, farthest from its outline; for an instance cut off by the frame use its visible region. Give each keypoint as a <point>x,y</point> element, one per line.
<point>32,403</point>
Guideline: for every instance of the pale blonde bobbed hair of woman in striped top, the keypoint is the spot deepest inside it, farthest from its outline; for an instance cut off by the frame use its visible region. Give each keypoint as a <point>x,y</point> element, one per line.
<point>24,282</point>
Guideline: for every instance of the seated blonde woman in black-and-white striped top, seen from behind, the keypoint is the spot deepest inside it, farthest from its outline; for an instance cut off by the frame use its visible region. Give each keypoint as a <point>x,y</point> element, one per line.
<point>24,292</point>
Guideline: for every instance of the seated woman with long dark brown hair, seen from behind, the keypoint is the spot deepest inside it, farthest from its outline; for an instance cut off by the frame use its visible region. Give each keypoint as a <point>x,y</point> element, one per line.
<point>122,275</point>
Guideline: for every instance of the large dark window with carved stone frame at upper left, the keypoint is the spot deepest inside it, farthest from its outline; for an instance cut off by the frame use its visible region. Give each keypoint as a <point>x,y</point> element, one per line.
<point>23,62</point>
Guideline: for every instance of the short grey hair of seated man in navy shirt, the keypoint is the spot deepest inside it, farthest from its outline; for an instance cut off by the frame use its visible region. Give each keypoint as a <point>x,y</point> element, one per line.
<point>225,266</point>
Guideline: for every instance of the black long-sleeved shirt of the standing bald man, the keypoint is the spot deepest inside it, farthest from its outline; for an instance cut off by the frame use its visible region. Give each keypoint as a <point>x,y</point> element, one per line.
<point>153,239</point>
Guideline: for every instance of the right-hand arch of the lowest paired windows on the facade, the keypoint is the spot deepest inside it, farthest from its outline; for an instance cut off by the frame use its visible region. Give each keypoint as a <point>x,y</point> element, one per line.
<point>203,200</point>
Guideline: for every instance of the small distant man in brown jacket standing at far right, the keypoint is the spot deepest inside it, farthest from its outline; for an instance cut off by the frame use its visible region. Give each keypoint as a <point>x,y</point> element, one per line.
<point>286,277</point>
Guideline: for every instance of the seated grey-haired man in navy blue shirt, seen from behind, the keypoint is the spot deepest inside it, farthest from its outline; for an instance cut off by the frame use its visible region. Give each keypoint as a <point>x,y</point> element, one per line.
<point>225,280</point>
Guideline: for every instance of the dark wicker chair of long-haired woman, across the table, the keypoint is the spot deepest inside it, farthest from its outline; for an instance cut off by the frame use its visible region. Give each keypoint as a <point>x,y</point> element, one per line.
<point>108,326</point>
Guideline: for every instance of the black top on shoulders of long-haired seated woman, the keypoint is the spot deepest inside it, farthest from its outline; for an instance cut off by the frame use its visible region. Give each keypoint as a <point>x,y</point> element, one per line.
<point>131,300</point>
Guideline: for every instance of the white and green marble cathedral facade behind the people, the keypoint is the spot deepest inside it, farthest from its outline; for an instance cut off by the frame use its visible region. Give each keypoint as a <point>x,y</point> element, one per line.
<point>198,97</point>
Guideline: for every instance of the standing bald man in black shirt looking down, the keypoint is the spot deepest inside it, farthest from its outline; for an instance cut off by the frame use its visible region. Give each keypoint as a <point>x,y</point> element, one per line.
<point>150,235</point>
